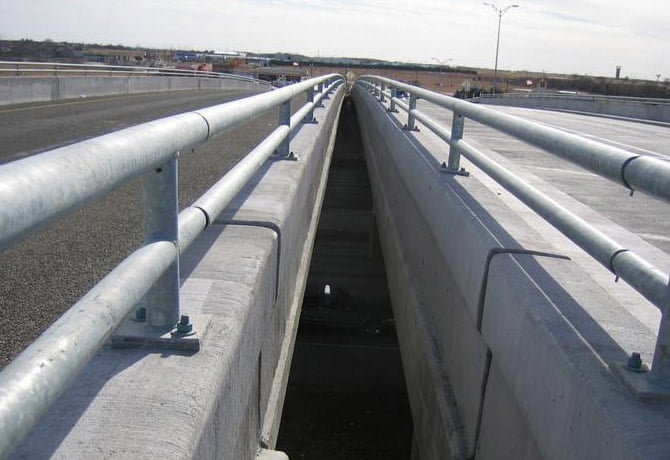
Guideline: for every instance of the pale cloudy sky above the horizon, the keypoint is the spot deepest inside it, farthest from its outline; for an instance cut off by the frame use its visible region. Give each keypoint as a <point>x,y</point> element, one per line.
<point>585,37</point>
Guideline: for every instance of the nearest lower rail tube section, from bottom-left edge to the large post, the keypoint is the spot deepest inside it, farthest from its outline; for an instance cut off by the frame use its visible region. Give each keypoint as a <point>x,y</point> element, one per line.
<point>39,375</point>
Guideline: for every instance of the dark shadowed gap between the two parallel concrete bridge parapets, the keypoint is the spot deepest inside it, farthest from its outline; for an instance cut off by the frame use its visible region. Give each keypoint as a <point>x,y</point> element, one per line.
<point>346,397</point>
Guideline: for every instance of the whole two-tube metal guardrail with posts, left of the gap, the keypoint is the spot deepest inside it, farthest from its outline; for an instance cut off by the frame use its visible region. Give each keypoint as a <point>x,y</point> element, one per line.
<point>41,189</point>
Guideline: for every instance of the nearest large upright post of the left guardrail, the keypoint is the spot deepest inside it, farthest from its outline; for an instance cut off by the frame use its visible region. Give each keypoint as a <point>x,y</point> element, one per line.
<point>159,198</point>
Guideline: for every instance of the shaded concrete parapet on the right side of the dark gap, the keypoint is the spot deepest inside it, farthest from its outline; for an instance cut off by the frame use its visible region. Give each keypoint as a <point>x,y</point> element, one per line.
<point>517,363</point>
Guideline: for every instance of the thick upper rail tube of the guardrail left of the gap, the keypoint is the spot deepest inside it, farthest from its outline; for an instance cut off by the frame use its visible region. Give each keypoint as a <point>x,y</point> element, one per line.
<point>37,190</point>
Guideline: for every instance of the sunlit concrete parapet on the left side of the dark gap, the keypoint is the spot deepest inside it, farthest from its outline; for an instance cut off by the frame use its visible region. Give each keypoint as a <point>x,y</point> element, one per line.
<point>245,276</point>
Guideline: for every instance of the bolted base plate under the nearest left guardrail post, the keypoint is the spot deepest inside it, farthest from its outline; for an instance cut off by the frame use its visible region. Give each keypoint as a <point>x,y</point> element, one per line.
<point>134,333</point>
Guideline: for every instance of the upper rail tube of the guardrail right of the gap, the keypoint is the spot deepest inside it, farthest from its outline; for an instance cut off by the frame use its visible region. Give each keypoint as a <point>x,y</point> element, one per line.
<point>635,172</point>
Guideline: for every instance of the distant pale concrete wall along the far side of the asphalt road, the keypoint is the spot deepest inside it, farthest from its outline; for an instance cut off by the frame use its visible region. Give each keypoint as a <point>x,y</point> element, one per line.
<point>22,90</point>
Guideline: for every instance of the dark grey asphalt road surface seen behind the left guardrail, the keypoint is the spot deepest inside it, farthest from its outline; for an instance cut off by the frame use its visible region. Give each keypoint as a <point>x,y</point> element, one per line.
<point>44,275</point>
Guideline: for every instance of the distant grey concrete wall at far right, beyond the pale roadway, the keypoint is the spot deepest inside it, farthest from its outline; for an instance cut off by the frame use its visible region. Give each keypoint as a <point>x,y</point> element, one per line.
<point>625,108</point>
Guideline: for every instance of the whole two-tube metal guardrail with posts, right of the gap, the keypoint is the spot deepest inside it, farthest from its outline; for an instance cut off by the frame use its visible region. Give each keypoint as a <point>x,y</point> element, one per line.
<point>633,171</point>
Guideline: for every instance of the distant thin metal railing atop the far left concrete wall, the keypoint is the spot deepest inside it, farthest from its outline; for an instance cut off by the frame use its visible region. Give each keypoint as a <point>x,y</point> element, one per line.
<point>45,69</point>
